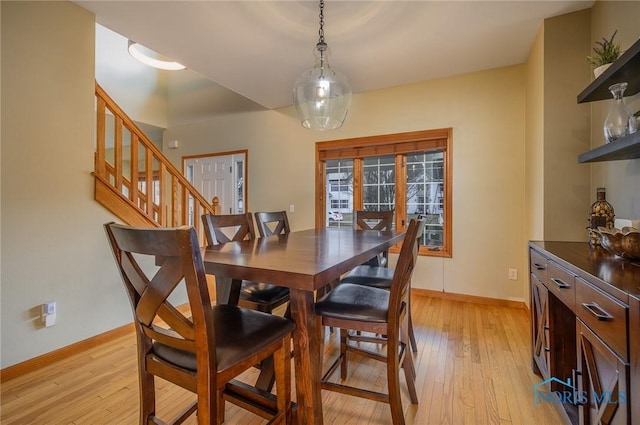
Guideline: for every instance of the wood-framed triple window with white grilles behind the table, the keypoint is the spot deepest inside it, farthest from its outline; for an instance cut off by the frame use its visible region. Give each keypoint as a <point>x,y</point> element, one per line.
<point>409,173</point>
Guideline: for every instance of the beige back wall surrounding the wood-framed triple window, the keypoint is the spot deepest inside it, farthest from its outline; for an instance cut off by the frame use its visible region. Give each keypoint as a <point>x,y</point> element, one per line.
<point>486,112</point>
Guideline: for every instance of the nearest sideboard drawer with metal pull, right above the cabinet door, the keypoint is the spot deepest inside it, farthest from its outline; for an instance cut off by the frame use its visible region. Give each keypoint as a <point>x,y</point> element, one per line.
<point>604,315</point>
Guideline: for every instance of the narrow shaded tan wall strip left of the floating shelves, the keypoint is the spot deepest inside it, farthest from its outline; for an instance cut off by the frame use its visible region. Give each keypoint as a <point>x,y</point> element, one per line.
<point>566,127</point>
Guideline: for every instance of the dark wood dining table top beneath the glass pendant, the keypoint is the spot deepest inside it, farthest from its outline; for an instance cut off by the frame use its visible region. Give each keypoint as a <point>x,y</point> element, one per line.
<point>306,259</point>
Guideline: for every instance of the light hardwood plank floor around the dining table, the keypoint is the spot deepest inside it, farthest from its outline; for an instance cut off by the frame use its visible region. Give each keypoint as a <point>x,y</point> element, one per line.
<point>473,363</point>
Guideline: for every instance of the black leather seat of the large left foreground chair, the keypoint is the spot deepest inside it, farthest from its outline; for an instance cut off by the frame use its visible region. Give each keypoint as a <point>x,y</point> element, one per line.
<point>240,333</point>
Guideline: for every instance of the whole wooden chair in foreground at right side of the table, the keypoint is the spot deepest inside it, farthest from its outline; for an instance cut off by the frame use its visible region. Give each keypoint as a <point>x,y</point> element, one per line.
<point>352,307</point>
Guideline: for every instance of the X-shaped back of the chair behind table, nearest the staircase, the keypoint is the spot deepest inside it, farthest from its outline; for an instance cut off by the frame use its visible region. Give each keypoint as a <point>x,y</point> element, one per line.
<point>220,229</point>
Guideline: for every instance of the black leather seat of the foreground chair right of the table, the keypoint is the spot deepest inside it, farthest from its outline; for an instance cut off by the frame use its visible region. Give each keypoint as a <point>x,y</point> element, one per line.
<point>355,302</point>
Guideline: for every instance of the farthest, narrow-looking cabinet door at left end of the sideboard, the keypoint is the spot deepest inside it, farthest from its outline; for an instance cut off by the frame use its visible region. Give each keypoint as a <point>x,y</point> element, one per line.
<point>540,327</point>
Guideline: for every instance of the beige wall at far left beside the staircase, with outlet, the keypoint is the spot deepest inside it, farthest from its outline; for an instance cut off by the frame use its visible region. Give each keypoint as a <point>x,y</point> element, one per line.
<point>53,244</point>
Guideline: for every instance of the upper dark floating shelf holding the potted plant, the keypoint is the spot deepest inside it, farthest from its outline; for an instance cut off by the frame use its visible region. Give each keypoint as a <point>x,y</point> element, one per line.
<point>625,69</point>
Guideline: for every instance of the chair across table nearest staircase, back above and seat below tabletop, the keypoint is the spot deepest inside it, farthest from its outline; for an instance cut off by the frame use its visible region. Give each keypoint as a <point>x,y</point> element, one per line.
<point>220,229</point>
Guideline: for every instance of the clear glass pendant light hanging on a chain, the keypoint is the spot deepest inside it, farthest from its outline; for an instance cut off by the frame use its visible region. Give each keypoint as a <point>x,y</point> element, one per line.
<point>321,95</point>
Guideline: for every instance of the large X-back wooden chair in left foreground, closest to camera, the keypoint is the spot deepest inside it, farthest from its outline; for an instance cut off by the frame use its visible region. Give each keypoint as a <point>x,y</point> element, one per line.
<point>202,351</point>
